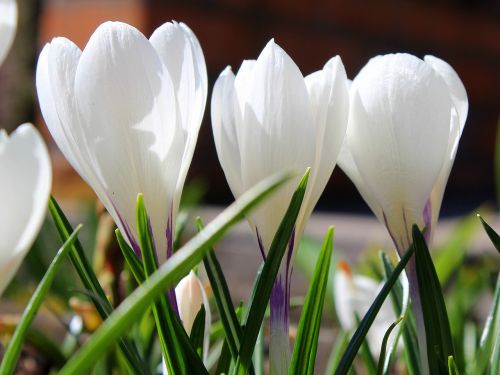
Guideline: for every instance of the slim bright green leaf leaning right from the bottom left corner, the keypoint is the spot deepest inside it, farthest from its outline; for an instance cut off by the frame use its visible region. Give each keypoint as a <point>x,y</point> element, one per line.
<point>13,351</point>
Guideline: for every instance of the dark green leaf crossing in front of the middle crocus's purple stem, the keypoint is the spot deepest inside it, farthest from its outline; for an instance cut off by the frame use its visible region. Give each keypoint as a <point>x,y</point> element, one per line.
<point>266,280</point>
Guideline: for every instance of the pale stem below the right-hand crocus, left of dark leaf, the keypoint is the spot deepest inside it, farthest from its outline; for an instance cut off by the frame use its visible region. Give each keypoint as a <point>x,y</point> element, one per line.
<point>411,273</point>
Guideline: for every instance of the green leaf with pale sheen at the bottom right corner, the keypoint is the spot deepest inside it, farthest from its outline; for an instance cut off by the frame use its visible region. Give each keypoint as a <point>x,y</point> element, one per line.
<point>490,338</point>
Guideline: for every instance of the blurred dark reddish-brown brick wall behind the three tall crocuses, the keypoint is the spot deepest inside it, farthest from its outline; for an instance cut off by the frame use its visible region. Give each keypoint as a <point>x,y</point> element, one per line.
<point>466,34</point>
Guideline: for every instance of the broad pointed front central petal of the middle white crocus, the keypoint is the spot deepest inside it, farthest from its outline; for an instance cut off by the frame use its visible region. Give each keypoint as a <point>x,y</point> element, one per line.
<point>278,133</point>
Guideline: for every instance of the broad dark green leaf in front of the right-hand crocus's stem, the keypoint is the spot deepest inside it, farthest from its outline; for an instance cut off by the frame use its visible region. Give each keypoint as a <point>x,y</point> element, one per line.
<point>437,326</point>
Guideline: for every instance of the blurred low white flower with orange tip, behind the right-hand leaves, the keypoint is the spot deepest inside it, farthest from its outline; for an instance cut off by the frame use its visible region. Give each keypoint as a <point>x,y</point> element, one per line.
<point>353,295</point>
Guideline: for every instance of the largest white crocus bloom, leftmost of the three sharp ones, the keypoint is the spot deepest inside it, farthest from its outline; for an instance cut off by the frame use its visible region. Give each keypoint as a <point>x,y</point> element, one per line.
<point>126,112</point>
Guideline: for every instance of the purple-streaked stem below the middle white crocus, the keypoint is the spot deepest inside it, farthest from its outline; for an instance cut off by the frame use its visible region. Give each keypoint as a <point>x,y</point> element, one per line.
<point>279,345</point>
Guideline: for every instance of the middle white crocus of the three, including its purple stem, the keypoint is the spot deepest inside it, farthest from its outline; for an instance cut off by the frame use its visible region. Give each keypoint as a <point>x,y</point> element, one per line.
<point>269,118</point>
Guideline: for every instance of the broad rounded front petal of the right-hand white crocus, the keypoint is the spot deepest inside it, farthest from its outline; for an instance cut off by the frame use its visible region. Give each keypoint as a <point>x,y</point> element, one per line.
<point>398,135</point>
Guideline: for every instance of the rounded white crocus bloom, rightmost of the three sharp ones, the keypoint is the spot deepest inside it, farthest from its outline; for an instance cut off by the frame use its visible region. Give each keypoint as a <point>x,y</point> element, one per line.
<point>405,120</point>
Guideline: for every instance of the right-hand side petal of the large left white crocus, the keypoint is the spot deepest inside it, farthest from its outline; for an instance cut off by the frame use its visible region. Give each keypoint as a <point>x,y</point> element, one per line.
<point>181,53</point>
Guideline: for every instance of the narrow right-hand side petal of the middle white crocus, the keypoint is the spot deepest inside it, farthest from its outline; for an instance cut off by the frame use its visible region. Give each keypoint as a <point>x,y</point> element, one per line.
<point>329,97</point>
